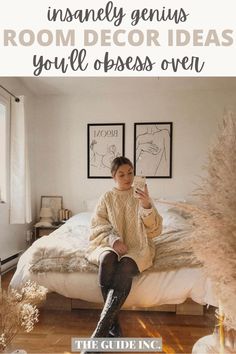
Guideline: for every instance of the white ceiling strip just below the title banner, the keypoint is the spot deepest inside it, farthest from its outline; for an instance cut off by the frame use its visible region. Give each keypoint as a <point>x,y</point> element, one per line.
<point>78,86</point>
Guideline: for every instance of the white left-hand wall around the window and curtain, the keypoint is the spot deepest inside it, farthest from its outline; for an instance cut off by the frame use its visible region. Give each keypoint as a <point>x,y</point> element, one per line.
<point>13,237</point>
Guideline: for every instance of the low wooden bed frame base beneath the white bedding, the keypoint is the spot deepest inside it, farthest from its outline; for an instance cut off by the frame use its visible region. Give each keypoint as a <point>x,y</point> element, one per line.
<point>55,301</point>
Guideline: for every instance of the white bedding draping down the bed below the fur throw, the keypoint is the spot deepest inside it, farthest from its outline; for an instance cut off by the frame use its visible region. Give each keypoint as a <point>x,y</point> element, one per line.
<point>148,289</point>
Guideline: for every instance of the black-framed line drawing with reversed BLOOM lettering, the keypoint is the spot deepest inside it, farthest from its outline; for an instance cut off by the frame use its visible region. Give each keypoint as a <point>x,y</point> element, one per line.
<point>105,142</point>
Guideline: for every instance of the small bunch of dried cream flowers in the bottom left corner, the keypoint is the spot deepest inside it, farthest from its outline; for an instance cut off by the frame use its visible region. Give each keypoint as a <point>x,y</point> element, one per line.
<point>18,310</point>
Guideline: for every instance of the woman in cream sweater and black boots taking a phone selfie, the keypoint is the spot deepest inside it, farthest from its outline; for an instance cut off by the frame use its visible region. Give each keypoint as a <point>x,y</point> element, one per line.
<point>120,242</point>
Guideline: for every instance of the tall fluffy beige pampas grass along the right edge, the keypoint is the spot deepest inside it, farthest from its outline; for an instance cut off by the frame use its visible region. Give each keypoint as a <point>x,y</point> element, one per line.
<point>214,219</point>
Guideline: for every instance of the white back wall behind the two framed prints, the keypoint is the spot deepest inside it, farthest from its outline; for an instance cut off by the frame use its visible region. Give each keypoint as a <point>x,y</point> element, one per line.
<point>60,135</point>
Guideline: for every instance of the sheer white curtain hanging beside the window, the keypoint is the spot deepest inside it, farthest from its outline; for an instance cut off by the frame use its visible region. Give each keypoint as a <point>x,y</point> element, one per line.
<point>20,198</point>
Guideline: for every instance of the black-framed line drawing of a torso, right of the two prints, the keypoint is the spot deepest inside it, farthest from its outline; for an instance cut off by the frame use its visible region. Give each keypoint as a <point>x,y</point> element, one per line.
<point>153,149</point>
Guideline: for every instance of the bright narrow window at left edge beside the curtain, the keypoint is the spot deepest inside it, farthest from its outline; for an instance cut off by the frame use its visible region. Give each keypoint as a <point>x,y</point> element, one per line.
<point>4,147</point>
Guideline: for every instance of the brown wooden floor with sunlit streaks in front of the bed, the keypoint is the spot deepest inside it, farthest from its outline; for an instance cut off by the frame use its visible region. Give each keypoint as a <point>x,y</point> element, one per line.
<point>55,329</point>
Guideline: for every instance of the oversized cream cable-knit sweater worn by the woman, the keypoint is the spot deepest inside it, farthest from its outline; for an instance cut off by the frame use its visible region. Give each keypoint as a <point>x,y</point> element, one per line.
<point>118,215</point>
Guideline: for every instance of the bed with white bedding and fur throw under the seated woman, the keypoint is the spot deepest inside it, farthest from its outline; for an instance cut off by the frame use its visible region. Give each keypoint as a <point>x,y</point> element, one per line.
<point>56,261</point>
